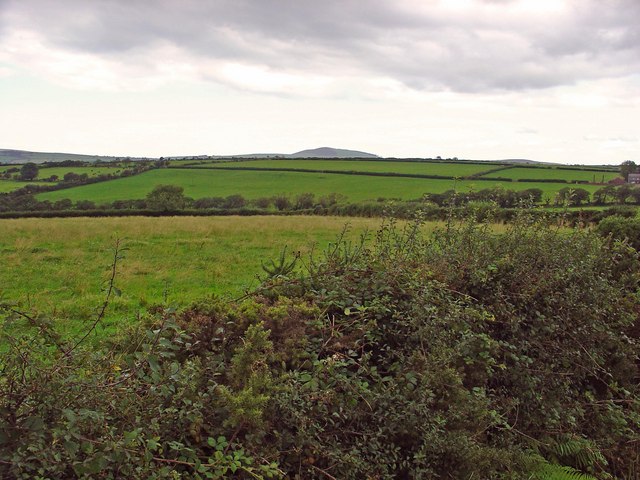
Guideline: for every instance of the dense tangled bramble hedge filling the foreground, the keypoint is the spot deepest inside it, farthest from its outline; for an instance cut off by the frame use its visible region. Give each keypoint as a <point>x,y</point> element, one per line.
<point>462,354</point>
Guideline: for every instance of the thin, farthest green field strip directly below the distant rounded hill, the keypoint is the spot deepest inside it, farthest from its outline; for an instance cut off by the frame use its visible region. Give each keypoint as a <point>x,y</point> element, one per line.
<point>421,168</point>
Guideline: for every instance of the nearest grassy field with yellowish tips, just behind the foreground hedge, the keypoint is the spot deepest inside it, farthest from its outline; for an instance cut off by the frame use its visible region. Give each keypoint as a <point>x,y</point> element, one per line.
<point>59,266</point>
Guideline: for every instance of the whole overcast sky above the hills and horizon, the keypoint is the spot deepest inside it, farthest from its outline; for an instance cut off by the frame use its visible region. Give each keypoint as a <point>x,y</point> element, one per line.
<point>550,80</point>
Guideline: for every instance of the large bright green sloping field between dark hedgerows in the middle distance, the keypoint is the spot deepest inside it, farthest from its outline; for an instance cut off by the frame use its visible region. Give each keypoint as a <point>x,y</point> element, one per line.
<point>254,184</point>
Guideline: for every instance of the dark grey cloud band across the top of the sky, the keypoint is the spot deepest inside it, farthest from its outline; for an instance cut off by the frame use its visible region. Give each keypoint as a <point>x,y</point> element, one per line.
<point>424,48</point>
